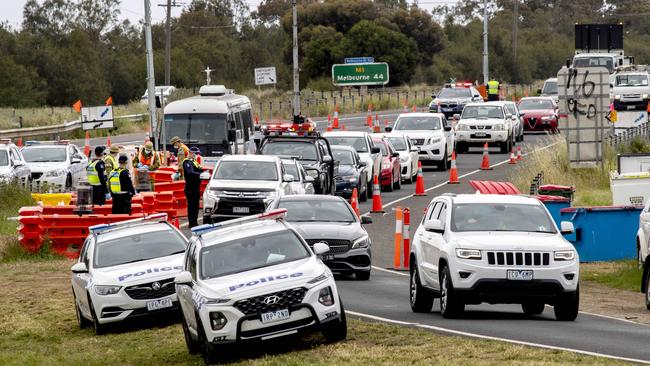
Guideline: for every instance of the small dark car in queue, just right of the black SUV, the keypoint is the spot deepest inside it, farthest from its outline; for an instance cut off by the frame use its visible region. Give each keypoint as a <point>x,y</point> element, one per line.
<point>352,172</point>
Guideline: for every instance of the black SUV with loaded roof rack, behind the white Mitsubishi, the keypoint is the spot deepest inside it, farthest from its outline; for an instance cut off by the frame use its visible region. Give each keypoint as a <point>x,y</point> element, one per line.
<point>313,152</point>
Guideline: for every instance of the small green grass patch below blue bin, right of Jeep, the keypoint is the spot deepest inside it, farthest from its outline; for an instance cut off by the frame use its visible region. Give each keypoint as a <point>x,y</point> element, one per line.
<point>623,275</point>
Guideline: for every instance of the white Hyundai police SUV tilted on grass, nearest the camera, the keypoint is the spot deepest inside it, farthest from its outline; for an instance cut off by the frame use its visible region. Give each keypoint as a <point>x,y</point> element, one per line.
<point>255,278</point>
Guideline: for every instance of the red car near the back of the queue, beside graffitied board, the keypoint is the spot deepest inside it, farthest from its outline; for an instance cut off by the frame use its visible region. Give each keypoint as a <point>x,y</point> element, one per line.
<point>539,114</point>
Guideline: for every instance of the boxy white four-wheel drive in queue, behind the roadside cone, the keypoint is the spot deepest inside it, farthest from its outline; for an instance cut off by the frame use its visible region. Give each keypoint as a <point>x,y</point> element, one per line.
<point>484,122</point>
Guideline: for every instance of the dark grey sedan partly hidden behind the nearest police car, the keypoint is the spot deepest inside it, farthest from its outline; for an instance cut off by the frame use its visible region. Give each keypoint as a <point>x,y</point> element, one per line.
<point>331,220</point>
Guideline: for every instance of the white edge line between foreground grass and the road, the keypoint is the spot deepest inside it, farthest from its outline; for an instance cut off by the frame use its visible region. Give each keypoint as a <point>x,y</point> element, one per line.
<point>480,336</point>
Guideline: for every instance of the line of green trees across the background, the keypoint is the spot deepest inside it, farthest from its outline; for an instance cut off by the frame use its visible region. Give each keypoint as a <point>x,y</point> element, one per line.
<point>66,50</point>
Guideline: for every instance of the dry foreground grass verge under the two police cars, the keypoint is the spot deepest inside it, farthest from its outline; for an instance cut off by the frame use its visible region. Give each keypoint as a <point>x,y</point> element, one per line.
<point>39,327</point>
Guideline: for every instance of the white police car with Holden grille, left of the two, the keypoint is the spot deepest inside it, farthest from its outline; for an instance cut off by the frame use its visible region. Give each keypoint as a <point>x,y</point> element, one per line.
<point>126,270</point>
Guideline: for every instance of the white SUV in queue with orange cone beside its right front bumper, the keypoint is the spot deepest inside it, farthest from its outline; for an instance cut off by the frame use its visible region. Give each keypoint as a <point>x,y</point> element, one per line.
<point>431,134</point>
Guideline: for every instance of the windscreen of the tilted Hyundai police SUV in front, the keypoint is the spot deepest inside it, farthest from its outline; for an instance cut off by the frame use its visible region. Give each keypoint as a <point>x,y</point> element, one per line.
<point>251,253</point>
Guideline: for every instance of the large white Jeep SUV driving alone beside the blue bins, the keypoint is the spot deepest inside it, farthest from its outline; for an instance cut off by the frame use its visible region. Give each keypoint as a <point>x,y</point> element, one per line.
<point>474,248</point>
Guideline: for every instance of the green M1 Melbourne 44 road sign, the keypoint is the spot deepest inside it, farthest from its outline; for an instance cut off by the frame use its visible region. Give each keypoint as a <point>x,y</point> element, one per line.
<point>360,74</point>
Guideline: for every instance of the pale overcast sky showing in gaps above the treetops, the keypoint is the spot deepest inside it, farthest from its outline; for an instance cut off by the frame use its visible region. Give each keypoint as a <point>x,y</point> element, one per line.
<point>11,11</point>
